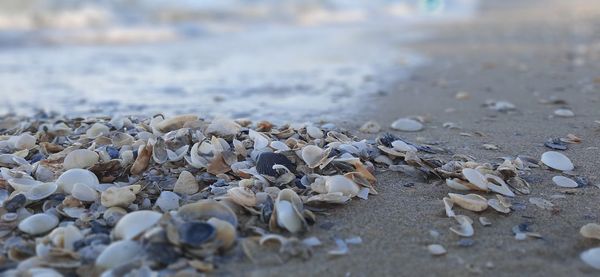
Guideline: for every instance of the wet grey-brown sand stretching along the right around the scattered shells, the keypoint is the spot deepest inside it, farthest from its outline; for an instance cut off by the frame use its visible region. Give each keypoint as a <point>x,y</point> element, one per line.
<point>519,51</point>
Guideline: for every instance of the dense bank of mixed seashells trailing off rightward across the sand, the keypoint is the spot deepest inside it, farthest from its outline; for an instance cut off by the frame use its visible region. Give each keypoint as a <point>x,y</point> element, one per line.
<point>153,194</point>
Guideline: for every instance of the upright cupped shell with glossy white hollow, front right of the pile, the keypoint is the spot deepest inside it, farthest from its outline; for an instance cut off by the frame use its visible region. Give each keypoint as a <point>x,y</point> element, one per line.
<point>288,210</point>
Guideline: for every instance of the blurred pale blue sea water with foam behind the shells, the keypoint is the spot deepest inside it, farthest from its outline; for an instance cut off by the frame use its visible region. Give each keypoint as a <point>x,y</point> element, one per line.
<point>287,59</point>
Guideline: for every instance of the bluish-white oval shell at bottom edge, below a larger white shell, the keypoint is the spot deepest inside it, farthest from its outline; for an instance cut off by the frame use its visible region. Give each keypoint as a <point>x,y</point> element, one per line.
<point>118,253</point>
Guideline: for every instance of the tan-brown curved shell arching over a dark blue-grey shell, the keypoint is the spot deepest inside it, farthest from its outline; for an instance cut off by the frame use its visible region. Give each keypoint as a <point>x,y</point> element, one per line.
<point>205,209</point>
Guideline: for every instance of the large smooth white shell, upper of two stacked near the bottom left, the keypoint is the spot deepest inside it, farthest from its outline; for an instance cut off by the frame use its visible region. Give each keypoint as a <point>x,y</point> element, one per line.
<point>135,223</point>
